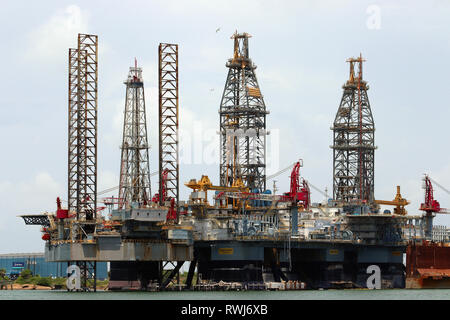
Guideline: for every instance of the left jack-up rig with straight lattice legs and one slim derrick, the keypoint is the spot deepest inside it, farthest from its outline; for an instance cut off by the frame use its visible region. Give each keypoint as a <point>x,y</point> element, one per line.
<point>138,238</point>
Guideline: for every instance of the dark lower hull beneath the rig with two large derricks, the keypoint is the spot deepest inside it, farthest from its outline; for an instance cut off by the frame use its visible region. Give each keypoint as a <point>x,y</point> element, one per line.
<point>319,264</point>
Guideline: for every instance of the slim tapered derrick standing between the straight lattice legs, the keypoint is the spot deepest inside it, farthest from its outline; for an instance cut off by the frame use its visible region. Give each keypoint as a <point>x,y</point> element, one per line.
<point>134,170</point>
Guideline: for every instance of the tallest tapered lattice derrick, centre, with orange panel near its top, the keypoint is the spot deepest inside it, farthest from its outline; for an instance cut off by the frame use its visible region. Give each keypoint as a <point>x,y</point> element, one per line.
<point>242,122</point>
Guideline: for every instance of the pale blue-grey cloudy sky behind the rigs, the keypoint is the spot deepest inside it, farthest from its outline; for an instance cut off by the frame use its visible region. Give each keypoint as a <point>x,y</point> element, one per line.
<point>300,49</point>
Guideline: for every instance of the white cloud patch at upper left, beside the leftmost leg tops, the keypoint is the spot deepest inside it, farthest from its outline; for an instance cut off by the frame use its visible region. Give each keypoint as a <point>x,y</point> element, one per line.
<point>51,40</point>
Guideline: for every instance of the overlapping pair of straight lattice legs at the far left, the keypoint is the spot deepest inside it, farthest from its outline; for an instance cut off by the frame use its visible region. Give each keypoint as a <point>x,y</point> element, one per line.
<point>82,142</point>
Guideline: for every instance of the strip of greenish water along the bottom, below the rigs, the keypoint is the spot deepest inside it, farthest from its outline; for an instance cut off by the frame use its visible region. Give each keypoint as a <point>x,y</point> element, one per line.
<point>391,294</point>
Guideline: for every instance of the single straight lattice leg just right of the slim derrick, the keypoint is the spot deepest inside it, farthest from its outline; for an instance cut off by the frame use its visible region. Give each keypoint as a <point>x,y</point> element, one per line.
<point>168,123</point>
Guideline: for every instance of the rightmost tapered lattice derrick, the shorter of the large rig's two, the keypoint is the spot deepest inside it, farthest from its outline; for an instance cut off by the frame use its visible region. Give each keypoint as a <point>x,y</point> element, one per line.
<point>353,148</point>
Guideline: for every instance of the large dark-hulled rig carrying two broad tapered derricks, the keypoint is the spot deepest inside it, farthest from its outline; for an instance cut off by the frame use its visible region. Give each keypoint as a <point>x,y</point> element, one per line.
<point>248,234</point>
